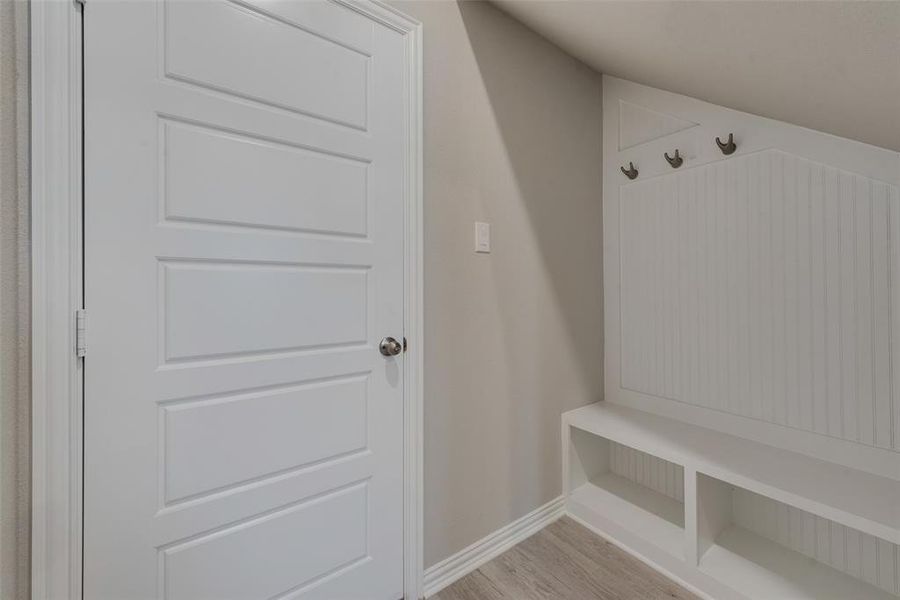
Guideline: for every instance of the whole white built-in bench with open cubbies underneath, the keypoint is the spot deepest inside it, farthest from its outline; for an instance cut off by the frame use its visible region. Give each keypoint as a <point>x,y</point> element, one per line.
<point>730,517</point>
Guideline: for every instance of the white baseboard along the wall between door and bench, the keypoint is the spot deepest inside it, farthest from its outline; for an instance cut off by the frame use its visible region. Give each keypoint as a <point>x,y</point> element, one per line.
<point>467,560</point>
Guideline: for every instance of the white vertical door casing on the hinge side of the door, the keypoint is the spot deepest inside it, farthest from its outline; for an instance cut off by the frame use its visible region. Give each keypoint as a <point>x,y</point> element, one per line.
<point>56,293</point>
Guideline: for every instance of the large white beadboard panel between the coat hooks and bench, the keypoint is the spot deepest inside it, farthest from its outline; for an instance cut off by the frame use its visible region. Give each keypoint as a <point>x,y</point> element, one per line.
<point>766,286</point>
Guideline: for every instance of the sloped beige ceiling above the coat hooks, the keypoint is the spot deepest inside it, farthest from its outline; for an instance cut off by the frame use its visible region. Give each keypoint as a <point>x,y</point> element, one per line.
<point>831,66</point>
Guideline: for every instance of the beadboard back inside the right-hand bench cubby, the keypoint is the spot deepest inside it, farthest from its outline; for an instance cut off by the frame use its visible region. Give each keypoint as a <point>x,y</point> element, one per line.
<point>857,554</point>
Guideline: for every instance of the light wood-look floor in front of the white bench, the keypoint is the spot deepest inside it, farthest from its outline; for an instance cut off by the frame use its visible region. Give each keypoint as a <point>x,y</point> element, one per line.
<point>564,561</point>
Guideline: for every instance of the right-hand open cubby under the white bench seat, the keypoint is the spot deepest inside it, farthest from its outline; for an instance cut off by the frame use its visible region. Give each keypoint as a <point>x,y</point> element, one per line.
<point>770,549</point>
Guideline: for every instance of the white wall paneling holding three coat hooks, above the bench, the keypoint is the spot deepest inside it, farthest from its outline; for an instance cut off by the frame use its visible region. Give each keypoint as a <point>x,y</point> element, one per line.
<point>756,293</point>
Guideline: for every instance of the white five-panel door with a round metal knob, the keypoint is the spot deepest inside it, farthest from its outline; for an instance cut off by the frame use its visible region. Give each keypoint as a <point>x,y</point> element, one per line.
<point>243,259</point>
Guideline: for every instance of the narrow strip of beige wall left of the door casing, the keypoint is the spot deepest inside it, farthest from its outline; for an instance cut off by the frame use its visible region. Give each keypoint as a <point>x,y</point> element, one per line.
<point>14,304</point>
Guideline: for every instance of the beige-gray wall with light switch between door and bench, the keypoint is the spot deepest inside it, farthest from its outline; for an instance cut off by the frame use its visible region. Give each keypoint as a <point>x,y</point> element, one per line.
<point>513,338</point>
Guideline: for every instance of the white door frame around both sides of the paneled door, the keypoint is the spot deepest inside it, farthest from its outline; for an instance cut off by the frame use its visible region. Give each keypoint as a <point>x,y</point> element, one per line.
<point>57,270</point>
